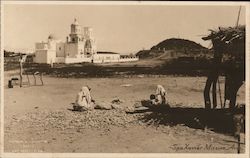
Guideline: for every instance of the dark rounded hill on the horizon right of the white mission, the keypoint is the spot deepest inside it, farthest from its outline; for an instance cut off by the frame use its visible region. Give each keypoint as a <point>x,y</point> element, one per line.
<point>179,47</point>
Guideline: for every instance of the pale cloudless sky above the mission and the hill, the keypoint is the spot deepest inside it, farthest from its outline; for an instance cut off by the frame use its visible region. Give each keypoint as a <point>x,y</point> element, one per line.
<point>119,28</point>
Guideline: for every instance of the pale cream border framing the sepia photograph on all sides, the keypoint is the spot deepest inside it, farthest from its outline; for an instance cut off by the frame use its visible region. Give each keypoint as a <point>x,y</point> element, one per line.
<point>104,155</point>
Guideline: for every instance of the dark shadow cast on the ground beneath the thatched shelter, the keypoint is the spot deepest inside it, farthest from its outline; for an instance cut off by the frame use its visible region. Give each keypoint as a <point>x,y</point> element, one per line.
<point>218,120</point>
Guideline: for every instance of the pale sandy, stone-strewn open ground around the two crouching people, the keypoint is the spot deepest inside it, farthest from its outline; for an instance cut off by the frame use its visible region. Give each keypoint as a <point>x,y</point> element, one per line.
<point>39,119</point>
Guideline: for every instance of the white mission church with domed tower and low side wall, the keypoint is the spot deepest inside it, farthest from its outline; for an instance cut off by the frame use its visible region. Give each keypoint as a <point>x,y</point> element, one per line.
<point>80,46</point>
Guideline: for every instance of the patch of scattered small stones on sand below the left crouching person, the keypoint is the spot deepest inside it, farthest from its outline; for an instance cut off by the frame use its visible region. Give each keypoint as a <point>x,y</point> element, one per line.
<point>67,120</point>
